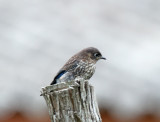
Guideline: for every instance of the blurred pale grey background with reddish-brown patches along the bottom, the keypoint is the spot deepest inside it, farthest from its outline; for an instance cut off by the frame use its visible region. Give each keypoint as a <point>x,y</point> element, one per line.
<point>37,37</point>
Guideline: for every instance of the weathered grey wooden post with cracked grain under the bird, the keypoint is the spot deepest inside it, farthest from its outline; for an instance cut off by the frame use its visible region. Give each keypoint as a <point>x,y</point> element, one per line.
<point>71,102</point>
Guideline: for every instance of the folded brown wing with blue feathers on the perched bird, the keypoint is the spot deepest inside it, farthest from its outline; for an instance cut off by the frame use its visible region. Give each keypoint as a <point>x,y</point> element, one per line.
<point>70,65</point>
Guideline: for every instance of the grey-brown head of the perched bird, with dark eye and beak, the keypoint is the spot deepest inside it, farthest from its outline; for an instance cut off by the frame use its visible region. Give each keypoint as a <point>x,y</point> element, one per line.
<point>92,54</point>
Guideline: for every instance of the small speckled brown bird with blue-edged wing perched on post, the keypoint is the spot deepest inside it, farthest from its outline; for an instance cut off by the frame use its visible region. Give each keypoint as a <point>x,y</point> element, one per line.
<point>81,65</point>
